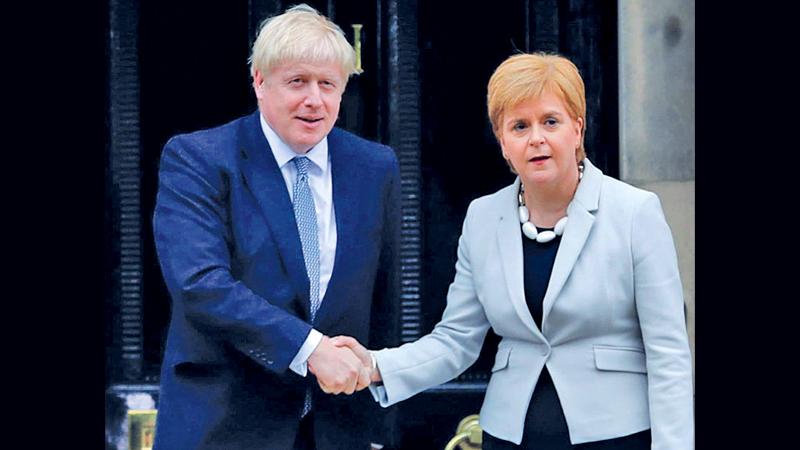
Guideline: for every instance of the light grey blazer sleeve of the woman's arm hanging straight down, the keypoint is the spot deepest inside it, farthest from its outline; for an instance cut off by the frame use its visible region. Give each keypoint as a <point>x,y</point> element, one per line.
<point>659,303</point>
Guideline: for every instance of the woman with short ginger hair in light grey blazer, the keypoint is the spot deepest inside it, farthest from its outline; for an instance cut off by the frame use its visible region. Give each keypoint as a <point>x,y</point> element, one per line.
<point>576,272</point>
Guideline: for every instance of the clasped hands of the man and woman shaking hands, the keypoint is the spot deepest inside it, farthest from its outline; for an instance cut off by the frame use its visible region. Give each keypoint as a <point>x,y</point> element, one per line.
<point>342,365</point>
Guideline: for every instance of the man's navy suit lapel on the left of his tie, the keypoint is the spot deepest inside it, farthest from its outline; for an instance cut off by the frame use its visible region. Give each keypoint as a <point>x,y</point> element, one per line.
<point>264,179</point>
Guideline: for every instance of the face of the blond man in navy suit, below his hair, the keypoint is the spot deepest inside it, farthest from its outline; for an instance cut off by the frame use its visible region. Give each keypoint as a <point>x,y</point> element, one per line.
<point>300,101</point>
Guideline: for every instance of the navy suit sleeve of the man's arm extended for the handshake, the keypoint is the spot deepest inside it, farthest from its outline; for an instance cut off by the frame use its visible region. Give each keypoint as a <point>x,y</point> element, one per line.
<point>192,239</point>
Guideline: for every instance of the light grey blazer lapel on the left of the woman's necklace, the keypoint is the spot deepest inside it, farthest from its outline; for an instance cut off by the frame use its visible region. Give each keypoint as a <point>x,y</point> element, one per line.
<point>509,241</point>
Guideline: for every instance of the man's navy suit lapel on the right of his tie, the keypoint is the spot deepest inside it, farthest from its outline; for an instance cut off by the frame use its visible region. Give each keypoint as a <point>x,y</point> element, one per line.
<point>344,178</point>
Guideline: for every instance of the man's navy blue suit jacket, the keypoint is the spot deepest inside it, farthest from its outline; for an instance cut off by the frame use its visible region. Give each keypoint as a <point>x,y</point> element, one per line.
<point>231,256</point>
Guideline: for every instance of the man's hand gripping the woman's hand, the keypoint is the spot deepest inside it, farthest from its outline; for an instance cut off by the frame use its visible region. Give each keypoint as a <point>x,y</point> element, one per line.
<point>337,368</point>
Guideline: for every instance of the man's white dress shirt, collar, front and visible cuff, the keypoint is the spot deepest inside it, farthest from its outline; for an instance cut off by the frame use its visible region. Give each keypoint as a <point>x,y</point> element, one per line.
<point>321,185</point>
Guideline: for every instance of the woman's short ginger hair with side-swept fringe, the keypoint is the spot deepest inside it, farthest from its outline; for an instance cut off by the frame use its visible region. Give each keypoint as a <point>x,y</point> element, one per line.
<point>525,76</point>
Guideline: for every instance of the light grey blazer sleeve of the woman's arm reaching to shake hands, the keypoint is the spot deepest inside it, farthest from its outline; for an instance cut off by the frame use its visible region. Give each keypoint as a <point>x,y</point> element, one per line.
<point>453,345</point>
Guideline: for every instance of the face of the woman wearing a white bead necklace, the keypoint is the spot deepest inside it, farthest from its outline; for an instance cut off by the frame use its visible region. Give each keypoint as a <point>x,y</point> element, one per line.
<point>540,140</point>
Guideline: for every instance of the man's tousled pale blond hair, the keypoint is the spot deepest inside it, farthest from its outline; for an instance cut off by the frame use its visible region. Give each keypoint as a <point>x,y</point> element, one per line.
<point>301,34</point>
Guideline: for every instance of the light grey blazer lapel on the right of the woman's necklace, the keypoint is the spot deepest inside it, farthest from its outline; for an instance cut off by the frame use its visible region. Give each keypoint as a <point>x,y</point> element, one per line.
<point>581,218</point>
